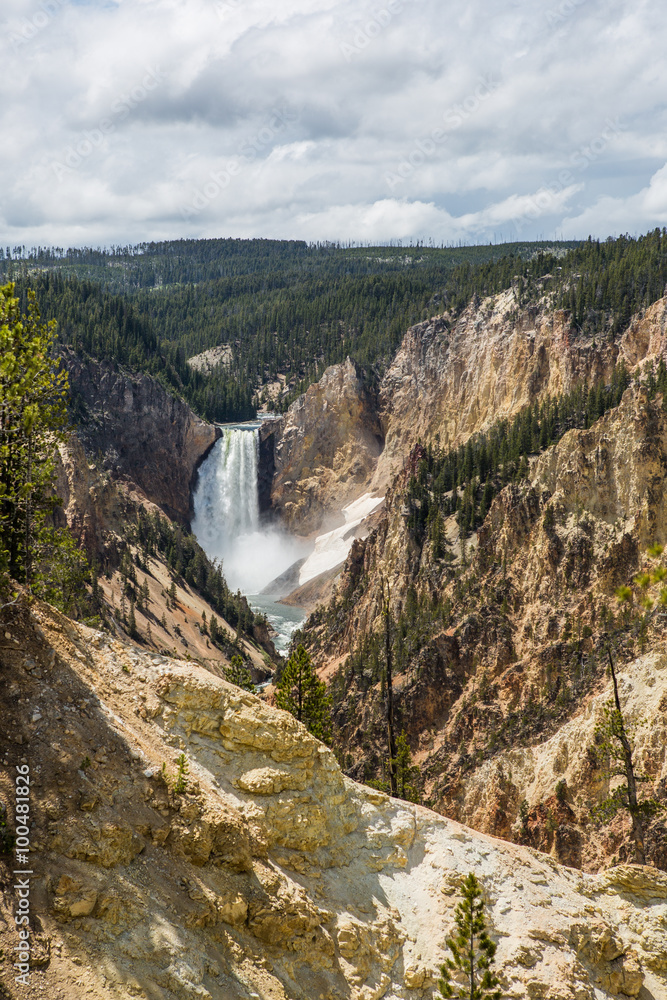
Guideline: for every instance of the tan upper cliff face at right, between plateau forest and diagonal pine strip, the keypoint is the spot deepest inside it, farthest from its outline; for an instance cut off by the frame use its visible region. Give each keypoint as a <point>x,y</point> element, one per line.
<point>449,380</point>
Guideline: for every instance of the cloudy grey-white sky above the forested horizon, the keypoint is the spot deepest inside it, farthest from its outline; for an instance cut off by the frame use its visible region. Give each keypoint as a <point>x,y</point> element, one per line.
<point>129,120</point>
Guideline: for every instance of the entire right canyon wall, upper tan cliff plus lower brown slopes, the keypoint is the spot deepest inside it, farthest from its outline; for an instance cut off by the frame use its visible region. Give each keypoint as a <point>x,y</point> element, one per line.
<point>506,679</point>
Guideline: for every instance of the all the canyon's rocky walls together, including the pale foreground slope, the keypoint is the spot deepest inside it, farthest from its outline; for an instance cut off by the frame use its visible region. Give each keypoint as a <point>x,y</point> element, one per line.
<point>274,871</point>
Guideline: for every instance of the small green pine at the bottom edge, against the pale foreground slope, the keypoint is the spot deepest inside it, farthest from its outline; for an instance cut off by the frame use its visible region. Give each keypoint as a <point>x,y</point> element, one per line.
<point>472,950</point>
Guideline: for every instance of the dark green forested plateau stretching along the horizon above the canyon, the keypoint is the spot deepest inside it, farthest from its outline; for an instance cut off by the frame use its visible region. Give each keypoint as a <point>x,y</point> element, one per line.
<point>290,309</point>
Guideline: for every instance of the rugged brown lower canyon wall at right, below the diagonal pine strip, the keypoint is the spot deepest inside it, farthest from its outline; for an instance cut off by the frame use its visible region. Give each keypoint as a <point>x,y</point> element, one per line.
<point>506,648</point>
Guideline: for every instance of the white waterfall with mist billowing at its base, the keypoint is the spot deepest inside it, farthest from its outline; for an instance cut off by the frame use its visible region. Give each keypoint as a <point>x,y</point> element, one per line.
<point>227,520</point>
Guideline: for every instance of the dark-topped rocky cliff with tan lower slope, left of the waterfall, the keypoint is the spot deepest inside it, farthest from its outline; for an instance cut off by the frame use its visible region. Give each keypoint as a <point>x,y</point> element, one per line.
<point>134,453</point>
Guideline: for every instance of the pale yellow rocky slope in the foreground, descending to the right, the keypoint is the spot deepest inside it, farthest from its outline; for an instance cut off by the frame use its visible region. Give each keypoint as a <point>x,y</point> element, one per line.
<point>269,874</point>
